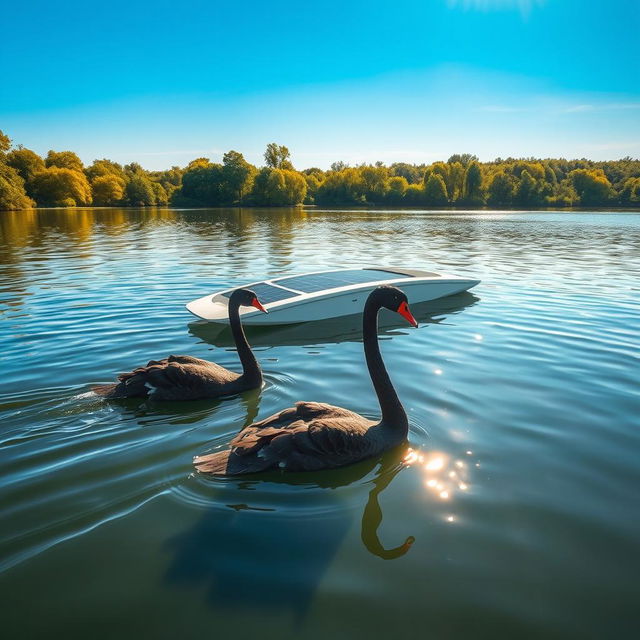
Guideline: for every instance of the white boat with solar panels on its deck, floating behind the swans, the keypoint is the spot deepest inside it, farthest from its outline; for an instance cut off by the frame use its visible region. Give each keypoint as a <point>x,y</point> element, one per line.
<point>320,295</point>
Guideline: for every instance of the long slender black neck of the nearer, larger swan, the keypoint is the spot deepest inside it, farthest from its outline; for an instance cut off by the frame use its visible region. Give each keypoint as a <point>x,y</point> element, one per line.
<point>393,413</point>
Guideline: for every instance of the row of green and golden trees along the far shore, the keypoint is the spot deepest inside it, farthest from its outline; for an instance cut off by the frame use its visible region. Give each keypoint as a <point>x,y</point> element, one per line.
<point>61,179</point>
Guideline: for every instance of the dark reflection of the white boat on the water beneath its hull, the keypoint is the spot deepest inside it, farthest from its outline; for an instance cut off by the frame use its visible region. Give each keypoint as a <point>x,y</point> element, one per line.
<point>344,329</point>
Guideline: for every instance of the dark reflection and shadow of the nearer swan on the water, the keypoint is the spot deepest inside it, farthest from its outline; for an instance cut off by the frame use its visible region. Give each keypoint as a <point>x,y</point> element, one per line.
<point>268,540</point>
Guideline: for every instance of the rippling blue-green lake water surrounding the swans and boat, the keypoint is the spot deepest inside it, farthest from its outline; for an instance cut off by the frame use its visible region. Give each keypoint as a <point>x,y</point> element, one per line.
<point>523,399</point>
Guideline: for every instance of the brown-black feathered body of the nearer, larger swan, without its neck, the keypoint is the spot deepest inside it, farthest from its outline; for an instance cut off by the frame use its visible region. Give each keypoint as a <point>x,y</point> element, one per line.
<point>308,437</point>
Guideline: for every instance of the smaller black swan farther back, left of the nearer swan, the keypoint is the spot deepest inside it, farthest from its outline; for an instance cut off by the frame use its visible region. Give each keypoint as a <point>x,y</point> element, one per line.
<point>189,378</point>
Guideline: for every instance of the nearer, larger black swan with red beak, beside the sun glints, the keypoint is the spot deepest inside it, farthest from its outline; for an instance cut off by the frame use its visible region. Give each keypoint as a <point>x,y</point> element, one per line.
<point>313,436</point>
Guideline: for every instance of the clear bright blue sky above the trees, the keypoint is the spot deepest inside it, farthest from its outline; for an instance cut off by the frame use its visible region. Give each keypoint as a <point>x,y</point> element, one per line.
<point>164,82</point>
